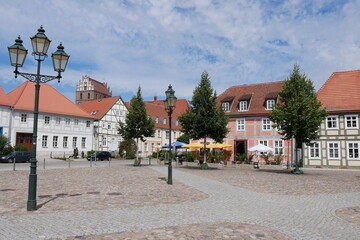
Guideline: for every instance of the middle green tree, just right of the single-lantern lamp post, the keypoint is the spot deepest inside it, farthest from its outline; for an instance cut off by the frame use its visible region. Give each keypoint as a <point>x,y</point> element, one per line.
<point>204,118</point>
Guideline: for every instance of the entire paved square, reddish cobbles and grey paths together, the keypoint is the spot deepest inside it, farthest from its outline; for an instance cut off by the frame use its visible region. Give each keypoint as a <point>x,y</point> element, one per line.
<point>136,203</point>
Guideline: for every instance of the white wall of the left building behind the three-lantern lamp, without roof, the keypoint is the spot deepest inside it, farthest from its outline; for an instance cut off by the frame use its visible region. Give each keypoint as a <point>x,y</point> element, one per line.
<point>59,126</point>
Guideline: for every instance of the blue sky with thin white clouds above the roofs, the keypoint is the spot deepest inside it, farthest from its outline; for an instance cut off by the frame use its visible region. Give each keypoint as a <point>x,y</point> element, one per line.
<point>153,43</point>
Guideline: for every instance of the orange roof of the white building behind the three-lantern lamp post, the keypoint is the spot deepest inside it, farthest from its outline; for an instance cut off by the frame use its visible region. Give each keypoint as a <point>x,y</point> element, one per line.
<point>50,100</point>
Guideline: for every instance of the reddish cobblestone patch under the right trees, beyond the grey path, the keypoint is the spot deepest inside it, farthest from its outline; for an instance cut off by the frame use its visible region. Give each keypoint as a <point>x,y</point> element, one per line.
<point>283,182</point>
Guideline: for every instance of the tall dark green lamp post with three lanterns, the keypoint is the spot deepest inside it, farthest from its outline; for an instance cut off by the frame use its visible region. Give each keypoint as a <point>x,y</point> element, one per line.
<point>17,52</point>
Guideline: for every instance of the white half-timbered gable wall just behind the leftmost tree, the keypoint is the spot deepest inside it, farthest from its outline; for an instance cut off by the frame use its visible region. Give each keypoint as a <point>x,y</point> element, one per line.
<point>106,133</point>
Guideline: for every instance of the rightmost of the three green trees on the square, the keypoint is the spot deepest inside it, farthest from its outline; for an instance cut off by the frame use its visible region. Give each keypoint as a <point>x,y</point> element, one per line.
<point>299,113</point>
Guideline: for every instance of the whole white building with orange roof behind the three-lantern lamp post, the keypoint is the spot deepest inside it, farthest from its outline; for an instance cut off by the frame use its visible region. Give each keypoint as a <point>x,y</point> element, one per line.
<point>62,125</point>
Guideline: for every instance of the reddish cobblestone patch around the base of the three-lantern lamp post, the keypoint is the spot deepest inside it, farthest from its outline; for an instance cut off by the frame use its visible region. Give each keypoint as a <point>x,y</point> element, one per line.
<point>91,188</point>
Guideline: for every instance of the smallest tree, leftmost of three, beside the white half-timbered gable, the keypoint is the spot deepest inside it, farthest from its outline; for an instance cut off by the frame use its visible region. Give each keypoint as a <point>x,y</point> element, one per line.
<point>137,124</point>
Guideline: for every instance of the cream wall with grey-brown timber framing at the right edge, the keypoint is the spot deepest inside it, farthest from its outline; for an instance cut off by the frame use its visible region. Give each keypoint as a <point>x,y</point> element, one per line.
<point>340,135</point>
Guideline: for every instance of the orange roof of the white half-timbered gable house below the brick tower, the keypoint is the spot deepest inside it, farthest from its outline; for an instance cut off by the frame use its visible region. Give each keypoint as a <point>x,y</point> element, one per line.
<point>99,107</point>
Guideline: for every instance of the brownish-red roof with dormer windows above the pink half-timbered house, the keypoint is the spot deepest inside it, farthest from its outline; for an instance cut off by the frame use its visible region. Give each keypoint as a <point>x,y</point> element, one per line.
<point>256,94</point>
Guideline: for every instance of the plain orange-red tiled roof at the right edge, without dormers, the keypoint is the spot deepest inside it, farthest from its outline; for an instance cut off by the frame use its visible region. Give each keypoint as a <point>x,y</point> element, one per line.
<point>341,91</point>
